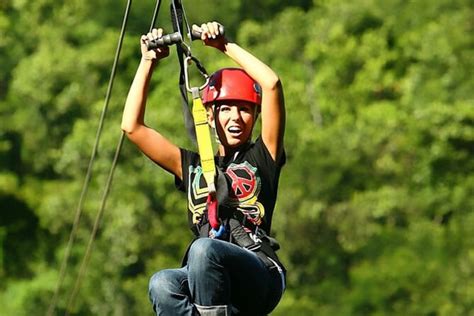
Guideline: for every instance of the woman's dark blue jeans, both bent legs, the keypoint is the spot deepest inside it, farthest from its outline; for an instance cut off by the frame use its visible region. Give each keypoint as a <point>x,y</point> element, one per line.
<point>218,276</point>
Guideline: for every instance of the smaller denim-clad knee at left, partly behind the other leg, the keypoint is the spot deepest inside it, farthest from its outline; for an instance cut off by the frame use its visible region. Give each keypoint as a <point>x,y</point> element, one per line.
<point>169,293</point>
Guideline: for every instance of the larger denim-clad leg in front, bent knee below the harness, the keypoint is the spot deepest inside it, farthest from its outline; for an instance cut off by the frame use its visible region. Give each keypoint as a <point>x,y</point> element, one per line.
<point>221,274</point>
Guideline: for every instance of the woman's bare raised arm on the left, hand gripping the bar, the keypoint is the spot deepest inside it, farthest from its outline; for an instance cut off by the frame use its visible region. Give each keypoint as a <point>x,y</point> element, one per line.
<point>149,141</point>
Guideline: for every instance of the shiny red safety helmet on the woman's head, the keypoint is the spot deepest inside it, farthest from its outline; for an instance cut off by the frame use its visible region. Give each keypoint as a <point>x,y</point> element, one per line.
<point>232,84</point>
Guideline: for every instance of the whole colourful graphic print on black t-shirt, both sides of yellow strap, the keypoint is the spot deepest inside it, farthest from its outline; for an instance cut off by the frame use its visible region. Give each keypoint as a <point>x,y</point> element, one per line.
<point>246,186</point>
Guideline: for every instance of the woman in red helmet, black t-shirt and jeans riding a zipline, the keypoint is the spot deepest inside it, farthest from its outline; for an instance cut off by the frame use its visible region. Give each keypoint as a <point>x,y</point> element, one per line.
<point>232,266</point>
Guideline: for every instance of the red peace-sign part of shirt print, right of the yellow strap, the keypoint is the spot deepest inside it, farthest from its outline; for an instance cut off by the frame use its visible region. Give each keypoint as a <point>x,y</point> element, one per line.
<point>246,186</point>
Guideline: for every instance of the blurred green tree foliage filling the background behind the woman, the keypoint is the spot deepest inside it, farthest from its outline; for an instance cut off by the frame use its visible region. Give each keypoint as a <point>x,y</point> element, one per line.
<point>376,203</point>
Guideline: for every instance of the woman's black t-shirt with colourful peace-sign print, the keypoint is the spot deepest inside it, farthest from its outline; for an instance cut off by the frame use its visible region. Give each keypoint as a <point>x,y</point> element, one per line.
<point>252,178</point>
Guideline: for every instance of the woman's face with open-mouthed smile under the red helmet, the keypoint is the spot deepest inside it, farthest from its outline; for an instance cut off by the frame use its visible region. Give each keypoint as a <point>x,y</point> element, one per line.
<point>235,121</point>
